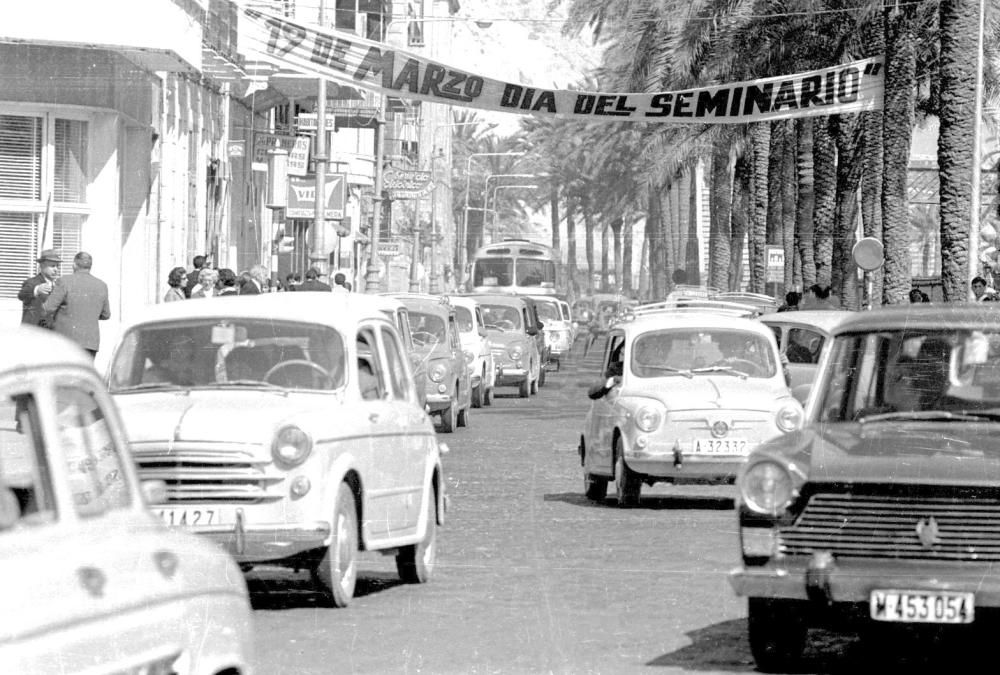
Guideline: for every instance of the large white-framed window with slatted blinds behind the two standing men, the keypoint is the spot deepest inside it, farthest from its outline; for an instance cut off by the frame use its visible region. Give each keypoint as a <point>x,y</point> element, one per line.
<point>43,171</point>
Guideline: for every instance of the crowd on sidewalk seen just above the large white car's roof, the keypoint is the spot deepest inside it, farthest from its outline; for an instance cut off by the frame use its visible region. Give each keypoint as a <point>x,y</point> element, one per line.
<point>207,282</point>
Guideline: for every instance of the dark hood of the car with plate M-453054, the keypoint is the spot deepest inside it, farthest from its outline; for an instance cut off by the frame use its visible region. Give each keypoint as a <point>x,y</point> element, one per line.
<point>905,453</point>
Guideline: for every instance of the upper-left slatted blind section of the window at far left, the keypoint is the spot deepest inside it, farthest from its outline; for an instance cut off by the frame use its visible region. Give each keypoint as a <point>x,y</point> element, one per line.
<point>20,157</point>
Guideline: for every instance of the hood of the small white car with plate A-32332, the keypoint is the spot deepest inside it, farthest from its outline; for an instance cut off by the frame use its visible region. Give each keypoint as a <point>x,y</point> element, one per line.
<point>712,392</point>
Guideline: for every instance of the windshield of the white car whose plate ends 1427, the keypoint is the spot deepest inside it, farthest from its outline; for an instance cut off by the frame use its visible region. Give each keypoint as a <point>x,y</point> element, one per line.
<point>213,352</point>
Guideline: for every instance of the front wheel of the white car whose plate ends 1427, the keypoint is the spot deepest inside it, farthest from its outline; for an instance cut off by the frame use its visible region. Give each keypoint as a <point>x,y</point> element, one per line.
<point>337,572</point>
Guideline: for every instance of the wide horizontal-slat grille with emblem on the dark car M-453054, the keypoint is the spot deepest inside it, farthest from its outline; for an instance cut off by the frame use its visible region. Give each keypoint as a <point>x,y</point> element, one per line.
<point>904,527</point>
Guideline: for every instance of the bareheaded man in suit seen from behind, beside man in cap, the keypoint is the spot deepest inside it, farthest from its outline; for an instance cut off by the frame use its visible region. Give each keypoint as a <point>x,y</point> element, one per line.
<point>77,303</point>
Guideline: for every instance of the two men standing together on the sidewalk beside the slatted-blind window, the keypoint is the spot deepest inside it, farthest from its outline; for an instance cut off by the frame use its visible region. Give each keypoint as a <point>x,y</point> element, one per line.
<point>71,304</point>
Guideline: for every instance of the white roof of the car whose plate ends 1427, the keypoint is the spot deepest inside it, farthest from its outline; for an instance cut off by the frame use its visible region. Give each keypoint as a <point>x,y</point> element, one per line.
<point>338,310</point>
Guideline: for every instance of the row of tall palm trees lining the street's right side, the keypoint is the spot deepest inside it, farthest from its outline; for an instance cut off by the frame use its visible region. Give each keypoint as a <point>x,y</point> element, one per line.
<point>798,184</point>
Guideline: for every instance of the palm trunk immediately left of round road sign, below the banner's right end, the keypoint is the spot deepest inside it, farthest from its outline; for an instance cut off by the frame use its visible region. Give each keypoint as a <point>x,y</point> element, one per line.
<point>843,276</point>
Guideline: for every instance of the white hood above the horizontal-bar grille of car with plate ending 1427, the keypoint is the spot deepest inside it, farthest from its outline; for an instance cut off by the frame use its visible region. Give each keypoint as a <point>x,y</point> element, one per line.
<point>215,415</point>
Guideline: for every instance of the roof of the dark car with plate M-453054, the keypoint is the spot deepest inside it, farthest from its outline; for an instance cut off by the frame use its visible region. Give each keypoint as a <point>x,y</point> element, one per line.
<point>969,316</point>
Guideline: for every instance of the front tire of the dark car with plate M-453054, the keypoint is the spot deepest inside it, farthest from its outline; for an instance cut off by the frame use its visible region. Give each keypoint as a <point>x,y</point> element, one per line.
<point>777,633</point>
